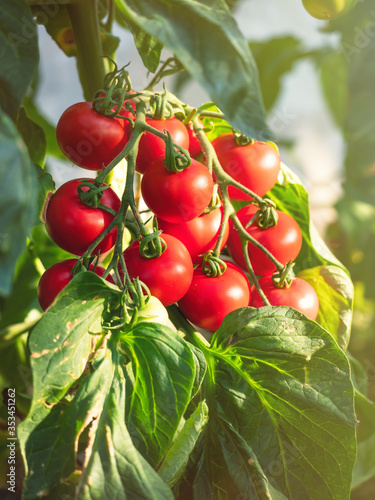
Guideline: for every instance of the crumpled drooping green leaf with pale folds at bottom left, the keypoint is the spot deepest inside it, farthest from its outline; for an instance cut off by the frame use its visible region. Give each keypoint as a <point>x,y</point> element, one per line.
<point>111,461</point>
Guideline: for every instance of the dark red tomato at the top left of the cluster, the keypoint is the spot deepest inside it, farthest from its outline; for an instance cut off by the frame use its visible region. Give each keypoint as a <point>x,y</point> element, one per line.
<point>88,138</point>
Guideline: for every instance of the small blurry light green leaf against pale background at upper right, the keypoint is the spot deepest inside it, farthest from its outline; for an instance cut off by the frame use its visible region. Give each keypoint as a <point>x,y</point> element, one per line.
<point>334,78</point>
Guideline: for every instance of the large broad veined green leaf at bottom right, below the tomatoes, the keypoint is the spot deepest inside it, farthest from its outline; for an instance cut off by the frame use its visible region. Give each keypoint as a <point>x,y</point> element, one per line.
<point>281,411</point>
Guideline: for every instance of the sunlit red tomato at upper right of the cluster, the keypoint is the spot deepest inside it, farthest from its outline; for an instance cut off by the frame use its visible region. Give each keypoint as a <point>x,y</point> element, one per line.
<point>256,165</point>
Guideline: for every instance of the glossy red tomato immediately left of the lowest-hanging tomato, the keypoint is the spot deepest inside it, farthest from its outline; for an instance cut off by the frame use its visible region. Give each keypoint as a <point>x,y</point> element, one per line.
<point>169,276</point>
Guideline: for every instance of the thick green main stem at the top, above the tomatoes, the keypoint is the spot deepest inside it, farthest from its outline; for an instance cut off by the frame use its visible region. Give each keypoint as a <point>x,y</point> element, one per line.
<point>84,17</point>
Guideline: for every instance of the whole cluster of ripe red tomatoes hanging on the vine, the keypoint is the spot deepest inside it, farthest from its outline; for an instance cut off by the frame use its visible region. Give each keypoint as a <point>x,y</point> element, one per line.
<point>181,204</point>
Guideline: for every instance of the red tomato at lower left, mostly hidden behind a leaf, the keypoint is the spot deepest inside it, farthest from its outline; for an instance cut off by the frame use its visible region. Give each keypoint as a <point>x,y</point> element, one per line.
<point>56,277</point>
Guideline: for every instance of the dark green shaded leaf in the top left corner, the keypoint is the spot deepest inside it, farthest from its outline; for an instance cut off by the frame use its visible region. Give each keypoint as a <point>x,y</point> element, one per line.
<point>19,53</point>
